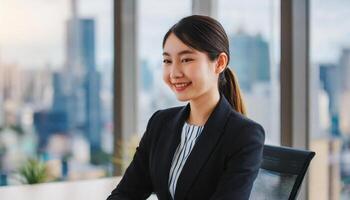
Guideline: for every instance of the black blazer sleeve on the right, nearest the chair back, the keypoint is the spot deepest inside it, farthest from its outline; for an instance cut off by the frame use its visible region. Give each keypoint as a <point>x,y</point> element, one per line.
<point>242,166</point>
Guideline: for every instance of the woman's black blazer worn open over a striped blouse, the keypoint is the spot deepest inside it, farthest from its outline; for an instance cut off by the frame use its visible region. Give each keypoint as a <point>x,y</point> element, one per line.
<point>223,163</point>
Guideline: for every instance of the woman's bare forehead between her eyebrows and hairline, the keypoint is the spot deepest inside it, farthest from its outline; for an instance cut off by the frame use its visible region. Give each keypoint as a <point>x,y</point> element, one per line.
<point>174,46</point>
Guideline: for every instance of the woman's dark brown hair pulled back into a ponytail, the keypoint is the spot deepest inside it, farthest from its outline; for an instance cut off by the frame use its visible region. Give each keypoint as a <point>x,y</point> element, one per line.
<point>206,34</point>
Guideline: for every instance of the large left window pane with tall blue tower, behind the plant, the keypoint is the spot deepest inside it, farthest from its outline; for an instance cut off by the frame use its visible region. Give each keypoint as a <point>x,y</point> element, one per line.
<point>56,62</point>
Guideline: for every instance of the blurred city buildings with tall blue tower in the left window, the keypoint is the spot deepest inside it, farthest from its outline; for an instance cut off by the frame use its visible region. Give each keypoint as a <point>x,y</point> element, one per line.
<point>61,116</point>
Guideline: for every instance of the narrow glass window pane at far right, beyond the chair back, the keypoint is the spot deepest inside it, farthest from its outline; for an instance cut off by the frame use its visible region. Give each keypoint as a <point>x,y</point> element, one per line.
<point>329,99</point>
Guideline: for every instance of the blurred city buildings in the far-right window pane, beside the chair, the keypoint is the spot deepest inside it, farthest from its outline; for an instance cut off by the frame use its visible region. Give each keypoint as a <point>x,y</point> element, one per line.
<point>329,128</point>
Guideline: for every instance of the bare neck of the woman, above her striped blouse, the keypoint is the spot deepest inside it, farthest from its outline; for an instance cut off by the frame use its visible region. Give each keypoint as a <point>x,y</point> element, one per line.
<point>202,107</point>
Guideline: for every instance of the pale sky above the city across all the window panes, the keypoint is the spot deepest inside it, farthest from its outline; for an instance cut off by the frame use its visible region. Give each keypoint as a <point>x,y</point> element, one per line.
<point>32,33</point>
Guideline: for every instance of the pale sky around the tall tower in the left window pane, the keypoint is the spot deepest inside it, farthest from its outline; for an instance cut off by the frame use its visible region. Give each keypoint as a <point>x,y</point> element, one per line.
<point>33,32</point>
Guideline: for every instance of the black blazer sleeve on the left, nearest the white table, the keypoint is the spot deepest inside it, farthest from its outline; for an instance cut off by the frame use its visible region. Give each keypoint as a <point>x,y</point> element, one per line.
<point>136,183</point>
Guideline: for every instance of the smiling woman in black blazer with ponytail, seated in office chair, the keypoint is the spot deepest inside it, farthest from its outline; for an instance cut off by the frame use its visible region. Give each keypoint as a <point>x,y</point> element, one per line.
<point>207,149</point>
